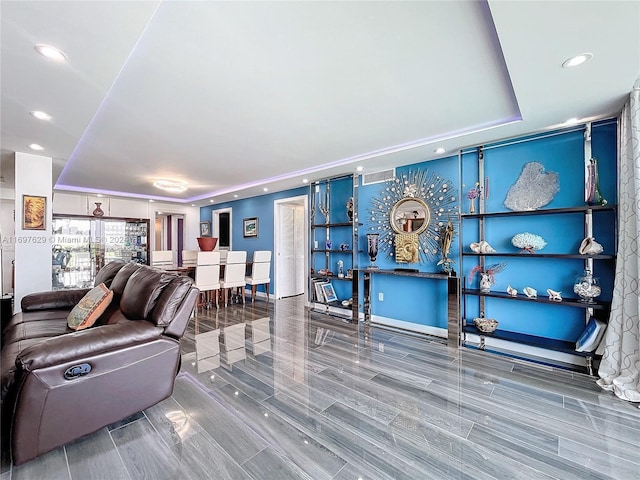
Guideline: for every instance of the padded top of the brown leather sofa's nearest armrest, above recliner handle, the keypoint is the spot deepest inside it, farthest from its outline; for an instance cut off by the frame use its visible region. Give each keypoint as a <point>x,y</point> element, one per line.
<point>86,343</point>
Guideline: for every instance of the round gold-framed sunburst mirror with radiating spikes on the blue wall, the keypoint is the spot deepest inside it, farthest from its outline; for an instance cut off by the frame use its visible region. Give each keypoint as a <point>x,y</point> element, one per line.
<point>410,213</point>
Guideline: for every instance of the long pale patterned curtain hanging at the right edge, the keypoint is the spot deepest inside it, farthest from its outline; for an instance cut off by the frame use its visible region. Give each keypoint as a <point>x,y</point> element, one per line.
<point>620,366</point>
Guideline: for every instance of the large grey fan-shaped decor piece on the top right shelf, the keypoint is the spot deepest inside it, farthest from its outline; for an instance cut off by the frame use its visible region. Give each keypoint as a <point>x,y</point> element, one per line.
<point>534,188</point>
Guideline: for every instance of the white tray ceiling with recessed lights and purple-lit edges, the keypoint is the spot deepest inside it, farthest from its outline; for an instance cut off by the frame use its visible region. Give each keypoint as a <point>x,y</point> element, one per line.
<point>231,97</point>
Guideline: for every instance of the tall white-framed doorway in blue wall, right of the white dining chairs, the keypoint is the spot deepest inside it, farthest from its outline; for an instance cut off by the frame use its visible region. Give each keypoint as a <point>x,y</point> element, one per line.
<point>291,224</point>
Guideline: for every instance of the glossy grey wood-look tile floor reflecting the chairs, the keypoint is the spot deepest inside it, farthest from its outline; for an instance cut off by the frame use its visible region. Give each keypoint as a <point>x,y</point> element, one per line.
<point>277,392</point>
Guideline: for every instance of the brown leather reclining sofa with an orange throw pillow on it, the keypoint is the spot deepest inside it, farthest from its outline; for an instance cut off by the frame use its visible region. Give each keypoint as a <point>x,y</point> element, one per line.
<point>59,384</point>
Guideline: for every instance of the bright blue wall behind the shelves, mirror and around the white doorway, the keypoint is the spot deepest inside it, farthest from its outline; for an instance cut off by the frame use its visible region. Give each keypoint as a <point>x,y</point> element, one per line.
<point>423,301</point>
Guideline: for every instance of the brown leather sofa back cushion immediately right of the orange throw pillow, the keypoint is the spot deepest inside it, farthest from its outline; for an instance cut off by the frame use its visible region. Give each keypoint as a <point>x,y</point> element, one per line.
<point>142,291</point>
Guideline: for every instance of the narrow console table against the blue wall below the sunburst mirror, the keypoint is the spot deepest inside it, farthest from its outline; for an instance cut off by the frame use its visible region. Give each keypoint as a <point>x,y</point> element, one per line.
<point>453,298</point>
